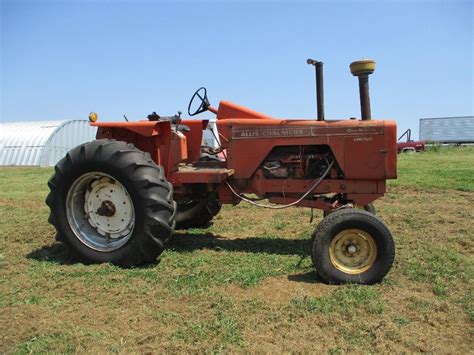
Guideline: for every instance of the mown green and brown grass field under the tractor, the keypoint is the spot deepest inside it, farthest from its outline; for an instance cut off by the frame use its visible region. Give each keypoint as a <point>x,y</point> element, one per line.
<point>246,283</point>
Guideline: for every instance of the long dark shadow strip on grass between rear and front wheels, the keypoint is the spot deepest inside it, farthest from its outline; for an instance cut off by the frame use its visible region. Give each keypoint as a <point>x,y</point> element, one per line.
<point>183,242</point>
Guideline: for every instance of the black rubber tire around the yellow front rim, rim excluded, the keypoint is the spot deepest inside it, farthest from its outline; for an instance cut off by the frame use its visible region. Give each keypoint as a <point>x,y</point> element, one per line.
<point>347,219</point>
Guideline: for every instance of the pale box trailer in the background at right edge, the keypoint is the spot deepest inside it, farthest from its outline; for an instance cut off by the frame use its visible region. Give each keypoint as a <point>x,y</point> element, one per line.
<point>456,130</point>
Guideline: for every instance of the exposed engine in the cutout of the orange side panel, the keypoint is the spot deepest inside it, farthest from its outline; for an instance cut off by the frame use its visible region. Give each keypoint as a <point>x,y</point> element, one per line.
<point>303,162</point>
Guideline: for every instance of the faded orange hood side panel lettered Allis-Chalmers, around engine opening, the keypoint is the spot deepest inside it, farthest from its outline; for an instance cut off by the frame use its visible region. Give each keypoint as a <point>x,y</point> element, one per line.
<point>363,149</point>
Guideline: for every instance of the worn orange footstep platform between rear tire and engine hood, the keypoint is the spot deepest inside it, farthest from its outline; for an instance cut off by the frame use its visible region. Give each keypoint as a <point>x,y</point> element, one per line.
<point>188,174</point>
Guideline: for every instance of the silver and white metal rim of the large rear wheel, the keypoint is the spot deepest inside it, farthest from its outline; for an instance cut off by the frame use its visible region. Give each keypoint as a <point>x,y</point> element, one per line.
<point>100,211</point>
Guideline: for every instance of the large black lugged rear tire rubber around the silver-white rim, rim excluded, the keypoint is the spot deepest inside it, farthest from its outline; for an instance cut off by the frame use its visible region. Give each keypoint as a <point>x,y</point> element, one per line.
<point>144,181</point>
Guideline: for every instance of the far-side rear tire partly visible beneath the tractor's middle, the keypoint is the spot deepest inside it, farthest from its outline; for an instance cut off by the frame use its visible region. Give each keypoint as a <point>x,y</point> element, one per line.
<point>197,214</point>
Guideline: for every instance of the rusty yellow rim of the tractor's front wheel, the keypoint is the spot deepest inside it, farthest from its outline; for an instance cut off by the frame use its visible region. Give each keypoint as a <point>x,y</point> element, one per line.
<point>353,251</point>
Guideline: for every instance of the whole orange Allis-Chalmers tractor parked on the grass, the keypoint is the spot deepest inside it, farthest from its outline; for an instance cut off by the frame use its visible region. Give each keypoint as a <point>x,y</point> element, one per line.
<point>119,198</point>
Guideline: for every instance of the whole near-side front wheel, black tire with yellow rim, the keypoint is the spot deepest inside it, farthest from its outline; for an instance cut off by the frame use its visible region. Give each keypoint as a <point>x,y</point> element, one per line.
<point>352,246</point>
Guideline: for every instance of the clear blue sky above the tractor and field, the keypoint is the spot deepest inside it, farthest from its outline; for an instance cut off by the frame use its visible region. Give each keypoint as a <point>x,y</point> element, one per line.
<point>63,59</point>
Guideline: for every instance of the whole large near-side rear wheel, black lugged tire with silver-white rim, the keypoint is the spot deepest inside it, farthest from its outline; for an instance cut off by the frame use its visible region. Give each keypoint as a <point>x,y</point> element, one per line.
<point>110,202</point>
